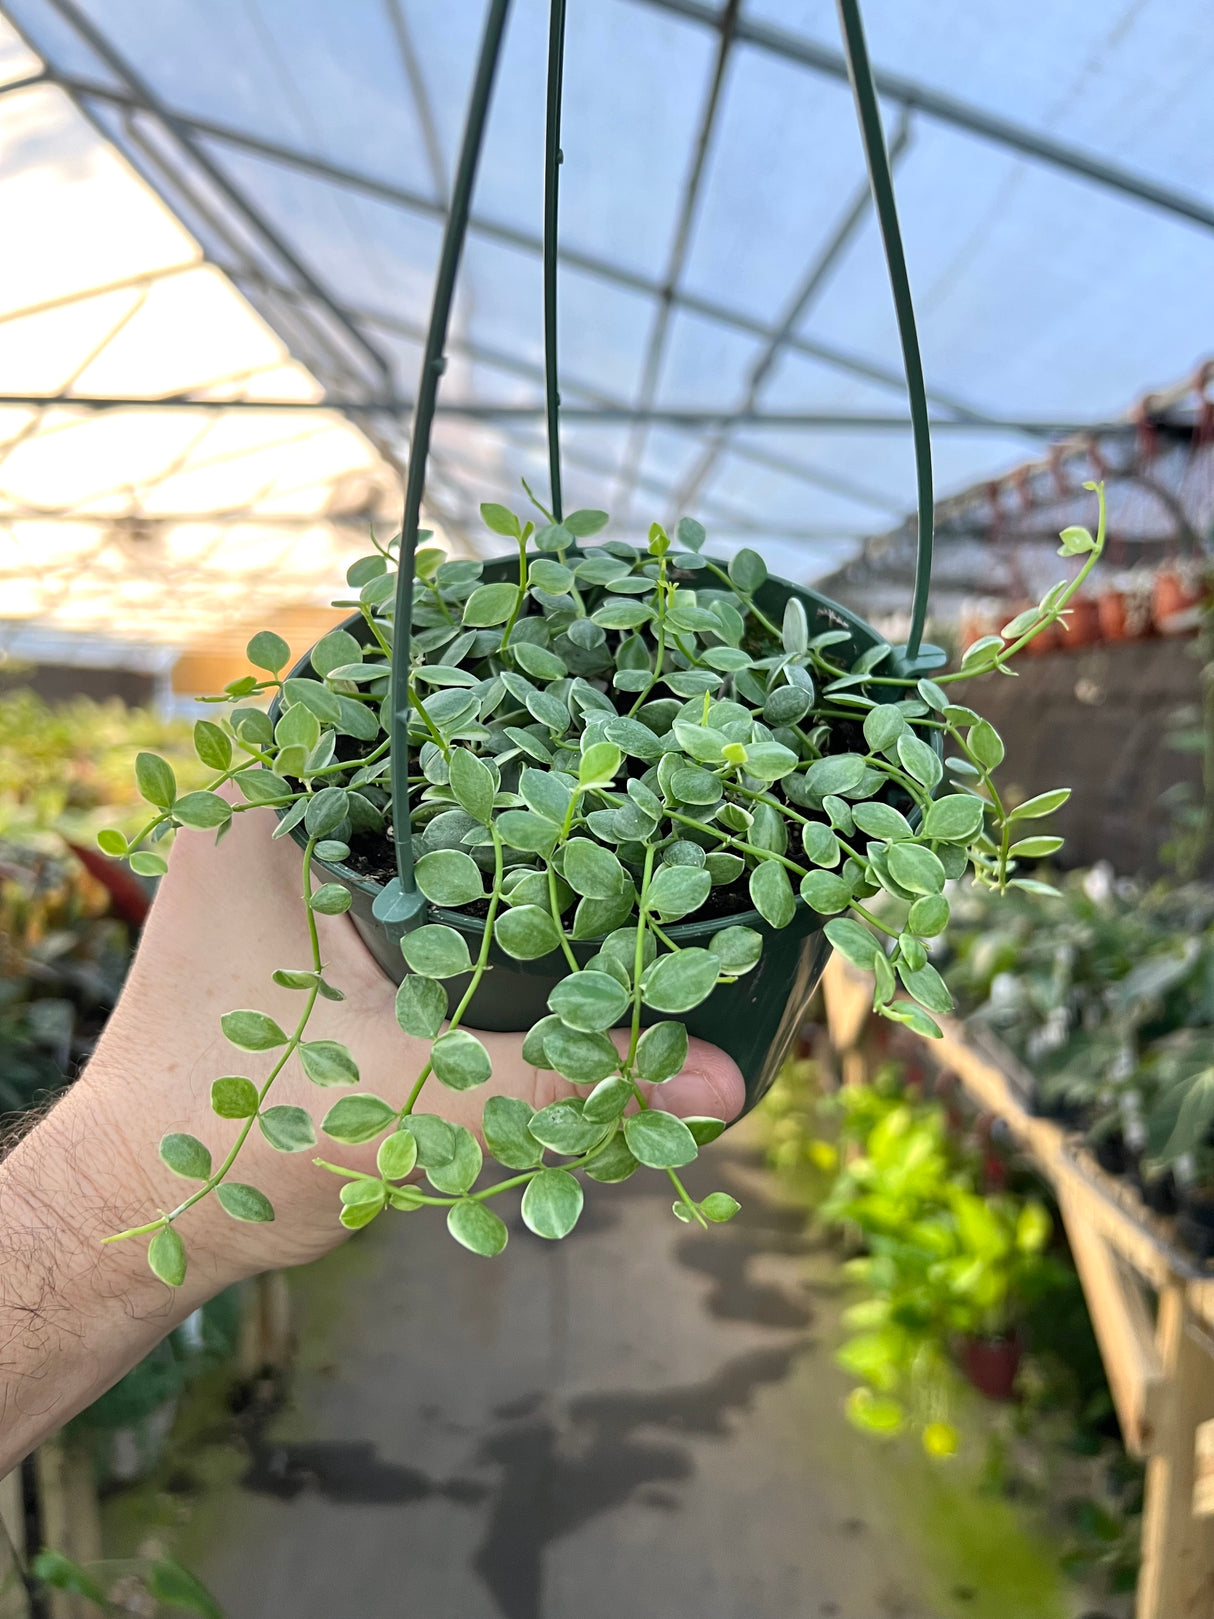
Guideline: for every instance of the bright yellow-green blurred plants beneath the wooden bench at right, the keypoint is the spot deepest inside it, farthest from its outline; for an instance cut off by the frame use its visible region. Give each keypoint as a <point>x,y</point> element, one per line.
<point>961,1280</point>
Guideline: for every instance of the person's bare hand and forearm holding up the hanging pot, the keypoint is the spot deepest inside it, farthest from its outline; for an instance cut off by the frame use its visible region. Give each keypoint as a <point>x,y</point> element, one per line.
<point>226,917</point>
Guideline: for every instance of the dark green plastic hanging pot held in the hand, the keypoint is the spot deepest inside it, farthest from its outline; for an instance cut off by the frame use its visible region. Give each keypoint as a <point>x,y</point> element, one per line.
<point>755,1019</point>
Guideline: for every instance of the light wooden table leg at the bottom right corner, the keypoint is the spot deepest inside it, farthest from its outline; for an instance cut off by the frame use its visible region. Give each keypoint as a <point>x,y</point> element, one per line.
<point>1178,1579</point>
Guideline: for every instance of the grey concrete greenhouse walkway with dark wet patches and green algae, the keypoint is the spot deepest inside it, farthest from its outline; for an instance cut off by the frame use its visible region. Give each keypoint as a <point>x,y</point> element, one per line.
<point>639,1421</point>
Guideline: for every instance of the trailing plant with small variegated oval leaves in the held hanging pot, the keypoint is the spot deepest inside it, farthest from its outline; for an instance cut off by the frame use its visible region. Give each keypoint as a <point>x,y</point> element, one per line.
<point>601,746</point>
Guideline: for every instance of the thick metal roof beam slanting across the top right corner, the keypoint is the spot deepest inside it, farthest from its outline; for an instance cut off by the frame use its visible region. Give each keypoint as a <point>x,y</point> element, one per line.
<point>957,114</point>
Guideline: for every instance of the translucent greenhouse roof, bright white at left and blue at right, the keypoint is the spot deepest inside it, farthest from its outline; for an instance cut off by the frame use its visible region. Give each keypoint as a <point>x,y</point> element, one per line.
<point>728,342</point>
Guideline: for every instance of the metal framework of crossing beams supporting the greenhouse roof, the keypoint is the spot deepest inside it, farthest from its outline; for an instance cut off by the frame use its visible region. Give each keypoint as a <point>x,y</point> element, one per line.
<point>349,346</point>
